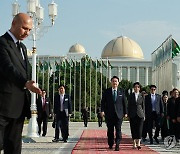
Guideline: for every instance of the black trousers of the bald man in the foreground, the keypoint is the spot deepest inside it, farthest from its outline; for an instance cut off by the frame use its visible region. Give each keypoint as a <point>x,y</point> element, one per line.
<point>11,135</point>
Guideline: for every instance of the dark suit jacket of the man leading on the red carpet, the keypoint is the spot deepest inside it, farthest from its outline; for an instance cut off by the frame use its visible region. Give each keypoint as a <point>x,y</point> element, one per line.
<point>109,107</point>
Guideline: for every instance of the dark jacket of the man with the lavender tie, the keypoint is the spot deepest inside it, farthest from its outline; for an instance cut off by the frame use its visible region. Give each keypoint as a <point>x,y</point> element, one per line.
<point>67,106</point>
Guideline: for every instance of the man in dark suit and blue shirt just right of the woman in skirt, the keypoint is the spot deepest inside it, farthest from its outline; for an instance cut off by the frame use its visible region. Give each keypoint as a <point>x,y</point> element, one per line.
<point>153,113</point>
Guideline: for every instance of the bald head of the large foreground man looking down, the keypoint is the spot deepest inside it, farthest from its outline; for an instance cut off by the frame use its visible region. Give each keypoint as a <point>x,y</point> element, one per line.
<point>21,26</point>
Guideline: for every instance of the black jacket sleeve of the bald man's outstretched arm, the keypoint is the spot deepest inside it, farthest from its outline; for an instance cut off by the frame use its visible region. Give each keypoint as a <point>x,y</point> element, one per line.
<point>7,69</point>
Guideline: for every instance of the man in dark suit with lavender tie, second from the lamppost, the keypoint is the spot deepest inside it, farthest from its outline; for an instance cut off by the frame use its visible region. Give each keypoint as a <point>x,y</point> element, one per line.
<point>62,111</point>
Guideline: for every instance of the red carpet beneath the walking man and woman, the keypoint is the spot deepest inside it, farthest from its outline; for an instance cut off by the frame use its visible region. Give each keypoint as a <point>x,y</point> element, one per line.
<point>95,142</point>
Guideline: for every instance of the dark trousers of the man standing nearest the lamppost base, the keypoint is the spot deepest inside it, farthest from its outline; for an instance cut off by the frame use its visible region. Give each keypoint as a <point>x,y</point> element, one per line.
<point>42,118</point>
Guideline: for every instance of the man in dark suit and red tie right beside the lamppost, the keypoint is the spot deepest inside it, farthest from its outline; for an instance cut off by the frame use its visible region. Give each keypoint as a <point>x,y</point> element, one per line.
<point>44,111</point>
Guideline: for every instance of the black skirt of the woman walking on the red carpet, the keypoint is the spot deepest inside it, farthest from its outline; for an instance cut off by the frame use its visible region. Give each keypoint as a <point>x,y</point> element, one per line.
<point>136,125</point>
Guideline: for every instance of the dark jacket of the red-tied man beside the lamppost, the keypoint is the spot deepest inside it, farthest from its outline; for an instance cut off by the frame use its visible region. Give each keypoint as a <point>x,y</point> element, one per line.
<point>47,106</point>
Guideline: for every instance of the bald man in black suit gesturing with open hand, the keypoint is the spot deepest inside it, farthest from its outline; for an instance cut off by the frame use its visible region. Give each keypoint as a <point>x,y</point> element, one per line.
<point>14,84</point>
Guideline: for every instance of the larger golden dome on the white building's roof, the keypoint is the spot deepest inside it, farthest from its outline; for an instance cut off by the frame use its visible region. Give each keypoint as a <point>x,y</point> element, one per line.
<point>122,47</point>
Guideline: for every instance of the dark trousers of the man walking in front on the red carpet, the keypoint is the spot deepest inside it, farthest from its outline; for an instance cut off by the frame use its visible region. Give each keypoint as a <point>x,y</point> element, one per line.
<point>111,123</point>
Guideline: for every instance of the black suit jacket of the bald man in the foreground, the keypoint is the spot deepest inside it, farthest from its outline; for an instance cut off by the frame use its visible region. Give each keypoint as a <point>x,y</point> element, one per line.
<point>14,73</point>
